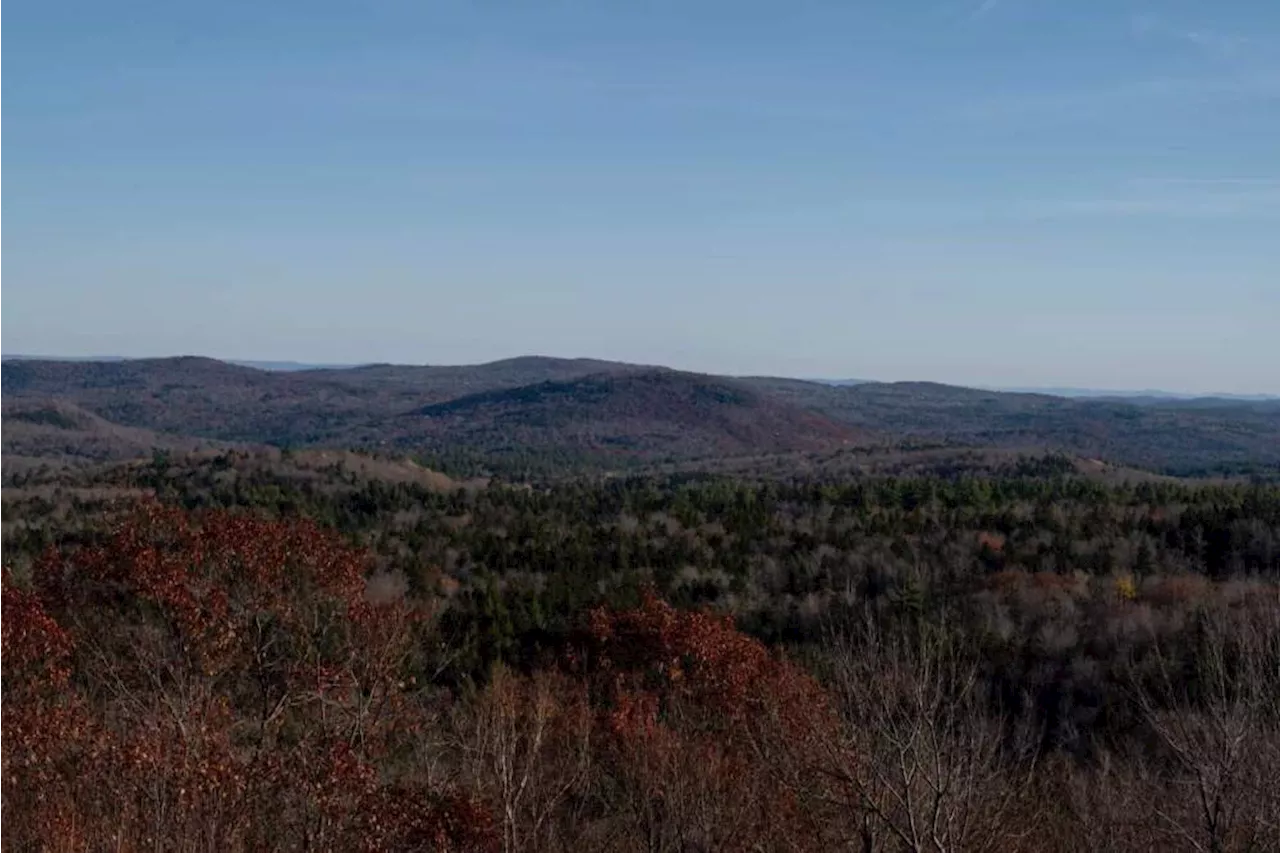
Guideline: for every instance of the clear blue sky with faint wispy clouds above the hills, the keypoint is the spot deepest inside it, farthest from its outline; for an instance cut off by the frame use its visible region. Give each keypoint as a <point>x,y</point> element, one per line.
<point>1013,193</point>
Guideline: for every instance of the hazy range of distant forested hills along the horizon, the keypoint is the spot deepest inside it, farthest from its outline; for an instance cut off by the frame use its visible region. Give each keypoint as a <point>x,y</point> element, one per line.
<point>605,414</point>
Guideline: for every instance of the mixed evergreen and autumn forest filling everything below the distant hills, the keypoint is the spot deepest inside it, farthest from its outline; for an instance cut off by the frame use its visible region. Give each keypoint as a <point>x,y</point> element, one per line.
<point>263,650</point>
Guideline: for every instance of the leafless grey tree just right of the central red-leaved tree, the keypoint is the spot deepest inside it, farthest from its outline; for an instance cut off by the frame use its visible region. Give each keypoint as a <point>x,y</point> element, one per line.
<point>931,768</point>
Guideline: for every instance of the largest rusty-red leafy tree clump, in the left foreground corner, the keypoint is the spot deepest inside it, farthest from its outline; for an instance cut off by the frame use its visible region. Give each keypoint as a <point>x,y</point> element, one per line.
<point>217,681</point>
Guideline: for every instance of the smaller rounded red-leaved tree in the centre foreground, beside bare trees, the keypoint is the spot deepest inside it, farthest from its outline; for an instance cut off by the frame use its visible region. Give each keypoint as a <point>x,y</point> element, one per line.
<point>705,727</point>
